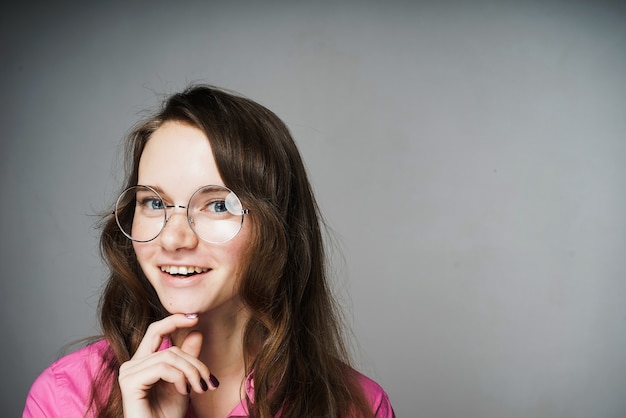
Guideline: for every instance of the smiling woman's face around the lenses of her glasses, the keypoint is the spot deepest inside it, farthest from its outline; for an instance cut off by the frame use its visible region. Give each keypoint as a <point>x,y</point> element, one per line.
<point>177,161</point>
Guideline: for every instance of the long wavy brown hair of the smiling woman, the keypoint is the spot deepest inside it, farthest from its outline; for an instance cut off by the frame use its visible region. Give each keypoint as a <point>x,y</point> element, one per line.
<point>293,341</point>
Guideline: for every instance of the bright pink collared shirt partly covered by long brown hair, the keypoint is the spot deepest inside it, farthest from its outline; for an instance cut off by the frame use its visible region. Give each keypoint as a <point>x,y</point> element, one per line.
<point>64,388</point>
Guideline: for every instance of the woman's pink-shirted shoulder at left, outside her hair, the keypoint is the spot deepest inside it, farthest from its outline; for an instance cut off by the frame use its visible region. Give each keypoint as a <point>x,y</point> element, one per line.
<point>64,387</point>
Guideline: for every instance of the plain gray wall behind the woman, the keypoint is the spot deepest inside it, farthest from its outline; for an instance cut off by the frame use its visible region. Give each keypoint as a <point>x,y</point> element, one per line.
<point>469,156</point>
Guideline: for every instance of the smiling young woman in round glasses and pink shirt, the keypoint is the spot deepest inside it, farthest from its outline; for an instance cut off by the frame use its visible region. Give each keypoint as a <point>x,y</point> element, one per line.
<point>217,303</point>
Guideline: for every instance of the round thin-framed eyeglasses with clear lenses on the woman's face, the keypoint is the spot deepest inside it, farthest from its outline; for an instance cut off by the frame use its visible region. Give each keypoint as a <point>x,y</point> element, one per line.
<point>214,213</point>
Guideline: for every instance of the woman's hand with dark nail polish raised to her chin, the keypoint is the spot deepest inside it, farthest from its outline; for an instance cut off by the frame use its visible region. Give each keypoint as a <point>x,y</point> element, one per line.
<point>158,383</point>
